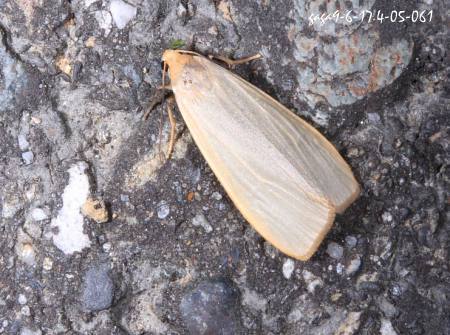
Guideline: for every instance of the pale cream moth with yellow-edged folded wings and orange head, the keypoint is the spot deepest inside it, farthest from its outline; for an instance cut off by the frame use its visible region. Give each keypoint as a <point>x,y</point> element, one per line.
<point>285,178</point>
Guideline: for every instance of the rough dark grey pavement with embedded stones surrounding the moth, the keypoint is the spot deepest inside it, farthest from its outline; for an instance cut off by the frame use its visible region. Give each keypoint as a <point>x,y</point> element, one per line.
<point>75,79</point>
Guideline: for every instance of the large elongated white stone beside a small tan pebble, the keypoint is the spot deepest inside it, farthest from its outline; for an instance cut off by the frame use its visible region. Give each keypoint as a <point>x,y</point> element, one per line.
<point>70,237</point>
